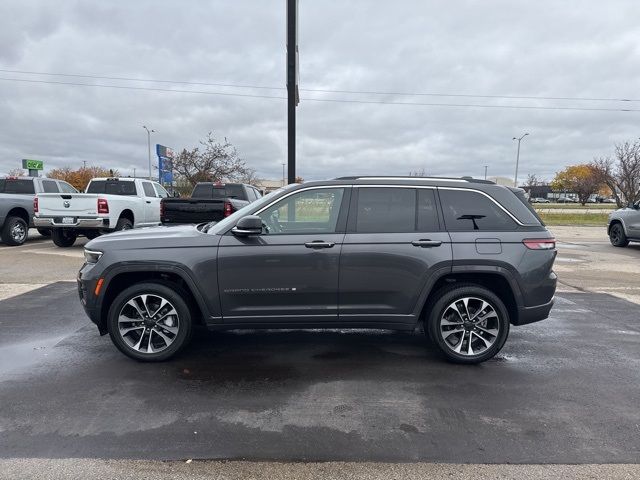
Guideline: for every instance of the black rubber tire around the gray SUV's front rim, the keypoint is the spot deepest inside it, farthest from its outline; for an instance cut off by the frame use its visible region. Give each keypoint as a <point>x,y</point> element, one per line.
<point>174,295</point>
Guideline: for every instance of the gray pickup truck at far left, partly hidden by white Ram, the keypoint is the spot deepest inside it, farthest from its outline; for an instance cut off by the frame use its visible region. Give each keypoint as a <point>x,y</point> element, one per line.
<point>16,205</point>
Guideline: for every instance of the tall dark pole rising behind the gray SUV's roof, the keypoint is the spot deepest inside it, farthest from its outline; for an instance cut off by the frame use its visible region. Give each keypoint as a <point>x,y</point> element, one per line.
<point>292,85</point>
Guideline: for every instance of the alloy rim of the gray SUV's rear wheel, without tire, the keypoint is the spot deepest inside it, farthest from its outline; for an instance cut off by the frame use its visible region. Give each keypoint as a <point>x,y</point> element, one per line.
<point>469,326</point>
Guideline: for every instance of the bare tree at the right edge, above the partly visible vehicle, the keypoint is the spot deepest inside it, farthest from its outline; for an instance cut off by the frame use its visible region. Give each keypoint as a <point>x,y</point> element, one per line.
<point>621,173</point>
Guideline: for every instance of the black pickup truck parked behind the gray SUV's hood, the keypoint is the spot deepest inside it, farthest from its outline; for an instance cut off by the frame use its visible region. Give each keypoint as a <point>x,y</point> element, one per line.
<point>208,202</point>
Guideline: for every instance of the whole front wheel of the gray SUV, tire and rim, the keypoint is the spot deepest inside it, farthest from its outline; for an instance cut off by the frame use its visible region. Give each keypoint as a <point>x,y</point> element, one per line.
<point>149,322</point>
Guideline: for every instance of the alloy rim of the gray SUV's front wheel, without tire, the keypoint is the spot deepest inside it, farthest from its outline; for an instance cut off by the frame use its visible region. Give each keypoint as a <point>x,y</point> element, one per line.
<point>148,323</point>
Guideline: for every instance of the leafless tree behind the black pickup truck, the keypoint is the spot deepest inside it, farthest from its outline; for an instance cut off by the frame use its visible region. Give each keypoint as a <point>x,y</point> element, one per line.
<point>212,161</point>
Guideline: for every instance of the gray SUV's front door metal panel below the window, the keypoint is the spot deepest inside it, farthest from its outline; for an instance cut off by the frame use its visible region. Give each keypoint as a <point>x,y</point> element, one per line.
<point>278,276</point>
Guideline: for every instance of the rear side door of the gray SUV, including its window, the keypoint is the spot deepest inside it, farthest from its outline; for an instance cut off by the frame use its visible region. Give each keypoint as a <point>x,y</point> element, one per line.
<point>392,248</point>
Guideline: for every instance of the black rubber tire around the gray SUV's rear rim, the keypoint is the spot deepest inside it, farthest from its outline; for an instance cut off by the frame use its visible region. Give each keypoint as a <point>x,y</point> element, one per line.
<point>500,323</point>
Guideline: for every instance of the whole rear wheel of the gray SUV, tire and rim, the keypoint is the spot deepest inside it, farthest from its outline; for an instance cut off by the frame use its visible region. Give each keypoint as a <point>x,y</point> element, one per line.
<point>468,323</point>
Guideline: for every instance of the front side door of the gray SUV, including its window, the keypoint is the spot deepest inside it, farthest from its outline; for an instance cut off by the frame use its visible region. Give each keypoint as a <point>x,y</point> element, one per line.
<point>290,272</point>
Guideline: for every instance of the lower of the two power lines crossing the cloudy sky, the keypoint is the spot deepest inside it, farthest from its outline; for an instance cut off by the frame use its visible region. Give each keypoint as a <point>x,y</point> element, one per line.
<point>332,100</point>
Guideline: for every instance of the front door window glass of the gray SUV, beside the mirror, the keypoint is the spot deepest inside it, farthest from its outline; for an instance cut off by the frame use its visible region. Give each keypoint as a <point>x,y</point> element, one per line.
<point>310,211</point>
